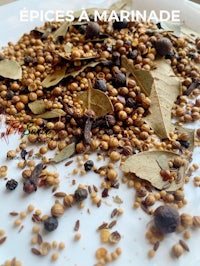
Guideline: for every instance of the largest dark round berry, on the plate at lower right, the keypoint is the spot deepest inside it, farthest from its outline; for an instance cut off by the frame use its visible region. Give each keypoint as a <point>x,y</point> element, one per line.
<point>166,219</point>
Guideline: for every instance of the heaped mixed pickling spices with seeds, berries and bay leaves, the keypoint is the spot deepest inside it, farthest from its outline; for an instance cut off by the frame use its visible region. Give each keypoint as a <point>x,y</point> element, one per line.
<point>109,88</point>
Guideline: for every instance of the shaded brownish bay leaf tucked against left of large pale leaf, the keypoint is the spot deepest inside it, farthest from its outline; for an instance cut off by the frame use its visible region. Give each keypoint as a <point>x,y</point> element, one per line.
<point>142,77</point>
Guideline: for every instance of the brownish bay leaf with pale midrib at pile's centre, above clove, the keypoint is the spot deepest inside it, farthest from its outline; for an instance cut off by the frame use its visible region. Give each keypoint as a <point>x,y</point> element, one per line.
<point>97,101</point>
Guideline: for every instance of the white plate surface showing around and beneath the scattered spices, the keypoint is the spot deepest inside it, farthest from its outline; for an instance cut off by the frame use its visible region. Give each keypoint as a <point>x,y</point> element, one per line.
<point>132,225</point>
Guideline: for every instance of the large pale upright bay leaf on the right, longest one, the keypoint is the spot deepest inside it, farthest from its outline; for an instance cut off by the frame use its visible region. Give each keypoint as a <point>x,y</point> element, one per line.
<point>163,95</point>
